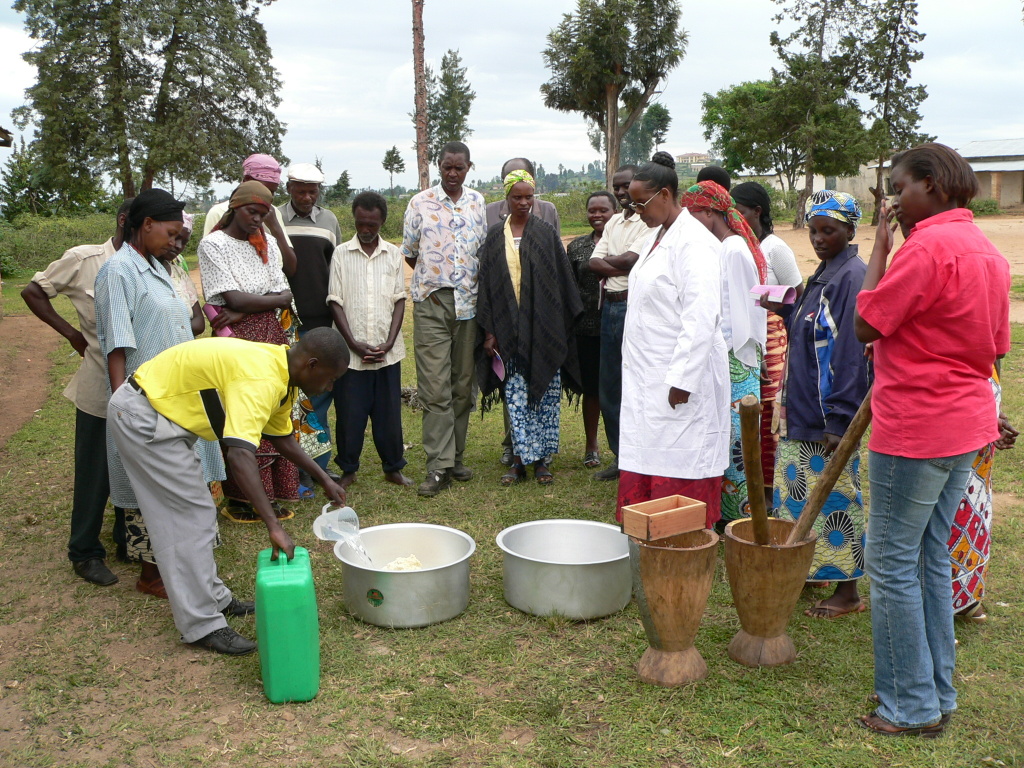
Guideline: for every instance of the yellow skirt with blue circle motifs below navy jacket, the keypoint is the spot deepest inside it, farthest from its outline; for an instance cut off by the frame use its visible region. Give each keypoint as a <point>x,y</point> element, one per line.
<point>839,554</point>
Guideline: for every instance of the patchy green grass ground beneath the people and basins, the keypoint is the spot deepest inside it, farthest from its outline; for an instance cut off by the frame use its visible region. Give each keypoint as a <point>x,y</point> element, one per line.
<point>97,677</point>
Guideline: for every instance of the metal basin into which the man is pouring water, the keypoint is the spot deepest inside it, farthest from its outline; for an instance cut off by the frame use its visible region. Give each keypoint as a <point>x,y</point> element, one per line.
<point>410,599</point>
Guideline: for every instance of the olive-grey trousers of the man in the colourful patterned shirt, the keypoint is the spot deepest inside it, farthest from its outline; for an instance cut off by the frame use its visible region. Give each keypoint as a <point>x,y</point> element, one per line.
<point>445,375</point>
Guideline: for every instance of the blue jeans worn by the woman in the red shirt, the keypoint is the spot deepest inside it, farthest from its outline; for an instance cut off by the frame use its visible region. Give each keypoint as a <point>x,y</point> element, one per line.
<point>913,505</point>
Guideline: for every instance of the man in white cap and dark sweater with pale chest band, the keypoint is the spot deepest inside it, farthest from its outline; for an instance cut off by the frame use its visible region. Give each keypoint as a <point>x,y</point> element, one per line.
<point>315,234</point>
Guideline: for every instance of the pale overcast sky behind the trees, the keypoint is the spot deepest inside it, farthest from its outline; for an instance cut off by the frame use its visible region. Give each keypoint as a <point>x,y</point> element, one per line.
<point>348,92</point>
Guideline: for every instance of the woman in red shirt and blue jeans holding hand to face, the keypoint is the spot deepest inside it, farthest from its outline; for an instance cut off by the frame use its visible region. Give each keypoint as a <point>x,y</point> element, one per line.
<point>938,318</point>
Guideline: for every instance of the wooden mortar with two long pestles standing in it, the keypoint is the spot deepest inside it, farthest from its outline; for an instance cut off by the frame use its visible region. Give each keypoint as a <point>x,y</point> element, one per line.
<point>766,583</point>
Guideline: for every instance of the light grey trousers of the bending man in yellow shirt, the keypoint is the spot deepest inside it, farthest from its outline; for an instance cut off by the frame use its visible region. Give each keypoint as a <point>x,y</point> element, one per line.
<point>167,478</point>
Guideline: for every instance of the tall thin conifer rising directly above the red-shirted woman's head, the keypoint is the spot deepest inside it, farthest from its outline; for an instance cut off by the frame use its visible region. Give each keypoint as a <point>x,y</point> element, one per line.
<point>888,56</point>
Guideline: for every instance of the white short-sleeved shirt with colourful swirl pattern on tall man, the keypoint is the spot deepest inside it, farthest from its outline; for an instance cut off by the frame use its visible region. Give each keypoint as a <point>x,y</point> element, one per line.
<point>444,236</point>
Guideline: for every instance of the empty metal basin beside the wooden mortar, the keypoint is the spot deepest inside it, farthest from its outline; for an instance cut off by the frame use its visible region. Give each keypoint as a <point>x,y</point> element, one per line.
<point>573,569</point>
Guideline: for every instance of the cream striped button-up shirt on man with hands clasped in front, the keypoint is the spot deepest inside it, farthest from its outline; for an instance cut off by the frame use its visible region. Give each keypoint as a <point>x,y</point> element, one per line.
<point>368,287</point>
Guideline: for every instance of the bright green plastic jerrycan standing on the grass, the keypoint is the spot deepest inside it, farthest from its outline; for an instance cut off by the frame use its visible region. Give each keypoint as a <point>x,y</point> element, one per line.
<point>287,627</point>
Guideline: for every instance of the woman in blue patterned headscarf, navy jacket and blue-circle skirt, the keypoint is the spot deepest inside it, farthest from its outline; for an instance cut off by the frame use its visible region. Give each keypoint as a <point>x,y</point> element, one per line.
<point>826,380</point>
